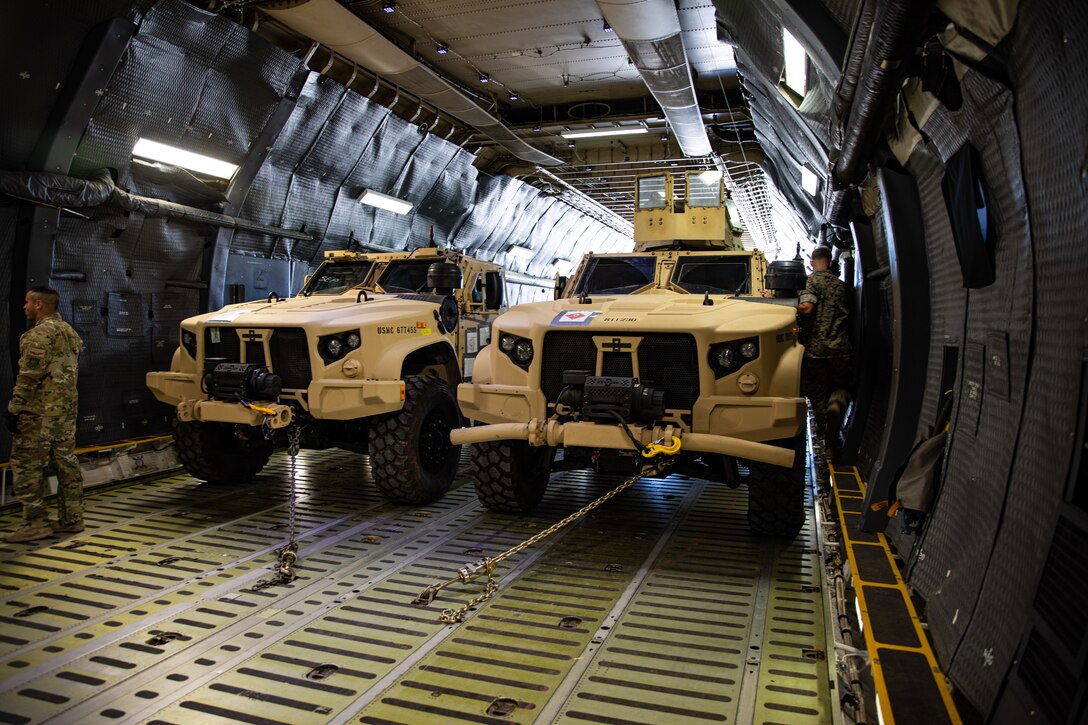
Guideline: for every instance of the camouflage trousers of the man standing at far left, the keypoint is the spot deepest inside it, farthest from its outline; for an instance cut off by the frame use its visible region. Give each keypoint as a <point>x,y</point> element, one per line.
<point>33,449</point>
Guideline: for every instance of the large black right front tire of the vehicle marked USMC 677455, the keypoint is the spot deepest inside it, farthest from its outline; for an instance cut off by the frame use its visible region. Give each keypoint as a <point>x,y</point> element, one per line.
<point>411,453</point>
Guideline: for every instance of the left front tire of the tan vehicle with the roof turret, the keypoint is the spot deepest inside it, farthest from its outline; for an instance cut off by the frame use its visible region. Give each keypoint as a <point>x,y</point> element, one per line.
<point>511,476</point>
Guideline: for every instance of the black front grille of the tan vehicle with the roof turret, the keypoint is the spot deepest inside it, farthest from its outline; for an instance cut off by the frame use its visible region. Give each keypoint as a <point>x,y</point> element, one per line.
<point>669,362</point>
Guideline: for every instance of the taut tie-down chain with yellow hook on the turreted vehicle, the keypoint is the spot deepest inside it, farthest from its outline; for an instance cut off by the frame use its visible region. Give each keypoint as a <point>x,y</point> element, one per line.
<point>487,566</point>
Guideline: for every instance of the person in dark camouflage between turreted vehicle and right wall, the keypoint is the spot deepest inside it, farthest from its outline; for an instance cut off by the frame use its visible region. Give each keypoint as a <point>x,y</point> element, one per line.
<point>826,378</point>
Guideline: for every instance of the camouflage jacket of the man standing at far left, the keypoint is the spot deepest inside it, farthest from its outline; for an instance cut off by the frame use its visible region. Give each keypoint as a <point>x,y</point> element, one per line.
<point>48,361</point>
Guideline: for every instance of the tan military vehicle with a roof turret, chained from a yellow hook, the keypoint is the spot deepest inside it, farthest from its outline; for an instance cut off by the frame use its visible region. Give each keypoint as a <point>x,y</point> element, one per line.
<point>671,341</point>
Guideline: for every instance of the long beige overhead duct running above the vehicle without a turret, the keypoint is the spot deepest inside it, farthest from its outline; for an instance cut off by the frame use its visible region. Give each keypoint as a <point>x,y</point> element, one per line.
<point>332,26</point>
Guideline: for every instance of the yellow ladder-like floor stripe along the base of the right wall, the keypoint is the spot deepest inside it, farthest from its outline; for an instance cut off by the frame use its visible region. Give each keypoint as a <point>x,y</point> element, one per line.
<point>842,477</point>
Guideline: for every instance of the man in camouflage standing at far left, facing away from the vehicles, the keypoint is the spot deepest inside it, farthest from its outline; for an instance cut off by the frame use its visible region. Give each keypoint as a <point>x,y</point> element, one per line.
<point>42,420</point>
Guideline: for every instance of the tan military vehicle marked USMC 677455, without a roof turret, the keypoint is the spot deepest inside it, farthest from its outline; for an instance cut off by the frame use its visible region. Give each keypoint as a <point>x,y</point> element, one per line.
<point>365,359</point>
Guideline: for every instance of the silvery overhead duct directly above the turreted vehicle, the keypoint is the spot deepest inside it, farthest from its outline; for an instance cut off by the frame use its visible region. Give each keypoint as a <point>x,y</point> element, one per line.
<point>651,33</point>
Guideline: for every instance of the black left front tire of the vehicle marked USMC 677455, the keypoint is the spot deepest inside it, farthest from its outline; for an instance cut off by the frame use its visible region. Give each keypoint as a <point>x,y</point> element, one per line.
<point>215,453</point>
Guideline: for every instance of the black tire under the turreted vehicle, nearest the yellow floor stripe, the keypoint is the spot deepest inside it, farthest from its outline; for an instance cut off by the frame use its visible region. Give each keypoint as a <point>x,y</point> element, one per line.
<point>777,496</point>
